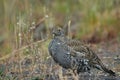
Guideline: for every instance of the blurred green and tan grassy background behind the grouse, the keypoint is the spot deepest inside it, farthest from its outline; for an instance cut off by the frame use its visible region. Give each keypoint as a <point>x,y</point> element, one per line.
<point>23,22</point>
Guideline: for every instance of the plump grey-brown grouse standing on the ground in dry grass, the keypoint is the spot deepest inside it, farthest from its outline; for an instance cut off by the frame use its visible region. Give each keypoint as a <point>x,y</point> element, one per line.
<point>74,54</point>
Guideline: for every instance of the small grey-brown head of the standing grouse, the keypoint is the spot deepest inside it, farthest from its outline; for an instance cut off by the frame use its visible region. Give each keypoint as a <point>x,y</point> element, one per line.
<point>58,32</point>
